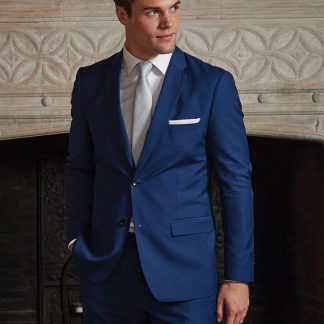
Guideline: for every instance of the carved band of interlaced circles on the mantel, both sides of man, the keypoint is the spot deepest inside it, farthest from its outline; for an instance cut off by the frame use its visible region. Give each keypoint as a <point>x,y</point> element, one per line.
<point>289,56</point>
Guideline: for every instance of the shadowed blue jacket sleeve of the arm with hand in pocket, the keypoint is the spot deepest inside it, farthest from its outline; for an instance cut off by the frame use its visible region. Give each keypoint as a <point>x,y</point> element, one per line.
<point>79,169</point>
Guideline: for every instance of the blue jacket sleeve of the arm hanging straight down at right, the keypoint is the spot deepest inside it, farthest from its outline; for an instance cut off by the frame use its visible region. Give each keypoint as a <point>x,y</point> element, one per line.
<point>228,147</point>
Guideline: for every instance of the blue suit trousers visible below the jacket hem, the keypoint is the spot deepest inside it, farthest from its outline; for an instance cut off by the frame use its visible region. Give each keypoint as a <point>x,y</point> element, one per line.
<point>124,298</point>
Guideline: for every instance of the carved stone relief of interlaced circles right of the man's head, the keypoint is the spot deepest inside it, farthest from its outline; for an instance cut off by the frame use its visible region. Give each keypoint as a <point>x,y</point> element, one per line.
<point>264,54</point>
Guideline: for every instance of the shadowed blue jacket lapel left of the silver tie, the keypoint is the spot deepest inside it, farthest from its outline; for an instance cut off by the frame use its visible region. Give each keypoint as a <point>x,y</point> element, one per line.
<point>113,90</point>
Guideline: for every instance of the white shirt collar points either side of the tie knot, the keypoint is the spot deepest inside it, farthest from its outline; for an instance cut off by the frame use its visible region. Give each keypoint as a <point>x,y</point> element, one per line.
<point>160,61</point>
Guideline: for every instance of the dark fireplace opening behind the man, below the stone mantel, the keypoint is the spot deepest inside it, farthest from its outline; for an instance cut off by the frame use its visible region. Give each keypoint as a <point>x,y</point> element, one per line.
<point>36,274</point>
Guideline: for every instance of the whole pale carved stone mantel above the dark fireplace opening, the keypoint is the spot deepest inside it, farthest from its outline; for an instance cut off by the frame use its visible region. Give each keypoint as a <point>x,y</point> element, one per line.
<point>275,50</point>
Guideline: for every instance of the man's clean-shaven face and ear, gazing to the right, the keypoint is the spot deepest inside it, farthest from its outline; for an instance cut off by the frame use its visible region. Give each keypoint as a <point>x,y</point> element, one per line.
<point>152,27</point>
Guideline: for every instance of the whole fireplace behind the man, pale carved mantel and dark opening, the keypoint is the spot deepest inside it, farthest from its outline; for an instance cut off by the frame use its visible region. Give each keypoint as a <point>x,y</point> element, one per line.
<point>275,50</point>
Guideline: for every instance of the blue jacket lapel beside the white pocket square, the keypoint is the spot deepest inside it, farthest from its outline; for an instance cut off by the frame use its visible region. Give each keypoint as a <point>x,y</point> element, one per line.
<point>174,79</point>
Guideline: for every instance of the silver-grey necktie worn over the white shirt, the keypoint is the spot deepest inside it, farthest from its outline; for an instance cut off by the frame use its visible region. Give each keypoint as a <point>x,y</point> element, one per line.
<point>142,110</point>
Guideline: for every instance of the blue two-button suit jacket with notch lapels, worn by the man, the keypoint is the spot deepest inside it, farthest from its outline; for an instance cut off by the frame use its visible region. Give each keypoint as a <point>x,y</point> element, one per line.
<point>169,202</point>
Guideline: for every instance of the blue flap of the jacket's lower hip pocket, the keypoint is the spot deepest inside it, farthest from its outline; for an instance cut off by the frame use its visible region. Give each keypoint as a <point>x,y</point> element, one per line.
<point>189,226</point>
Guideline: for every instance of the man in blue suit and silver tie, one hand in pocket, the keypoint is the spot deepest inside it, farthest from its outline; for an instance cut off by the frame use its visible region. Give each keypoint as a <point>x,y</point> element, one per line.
<point>146,123</point>
